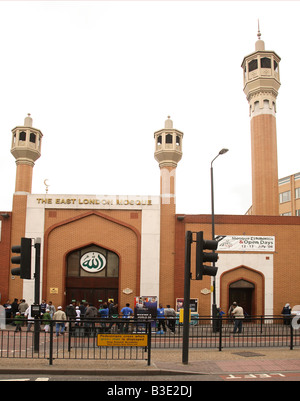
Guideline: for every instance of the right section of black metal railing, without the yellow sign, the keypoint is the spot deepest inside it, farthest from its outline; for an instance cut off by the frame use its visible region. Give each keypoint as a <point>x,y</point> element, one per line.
<point>257,331</point>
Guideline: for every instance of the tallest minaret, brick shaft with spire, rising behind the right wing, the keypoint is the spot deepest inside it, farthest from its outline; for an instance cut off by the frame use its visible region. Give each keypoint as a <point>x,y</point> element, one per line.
<point>261,85</point>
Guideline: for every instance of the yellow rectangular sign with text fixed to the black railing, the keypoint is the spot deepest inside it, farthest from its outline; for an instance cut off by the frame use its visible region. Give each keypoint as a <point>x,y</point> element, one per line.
<point>122,340</point>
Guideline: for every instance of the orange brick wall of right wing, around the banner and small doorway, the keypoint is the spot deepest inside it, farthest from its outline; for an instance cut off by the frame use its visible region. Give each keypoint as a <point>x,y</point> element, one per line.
<point>286,275</point>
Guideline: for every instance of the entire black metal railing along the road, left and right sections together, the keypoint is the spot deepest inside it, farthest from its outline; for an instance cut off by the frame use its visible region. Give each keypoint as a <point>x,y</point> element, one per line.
<point>121,337</point>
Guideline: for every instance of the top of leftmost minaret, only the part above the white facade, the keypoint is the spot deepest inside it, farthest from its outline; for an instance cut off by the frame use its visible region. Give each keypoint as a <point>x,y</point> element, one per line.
<point>26,148</point>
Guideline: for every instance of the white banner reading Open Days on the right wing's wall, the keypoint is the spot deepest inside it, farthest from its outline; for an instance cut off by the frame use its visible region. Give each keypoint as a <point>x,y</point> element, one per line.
<point>251,243</point>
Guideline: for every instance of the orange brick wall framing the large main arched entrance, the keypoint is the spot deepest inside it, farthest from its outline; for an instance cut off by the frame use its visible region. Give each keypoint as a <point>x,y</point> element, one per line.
<point>75,229</point>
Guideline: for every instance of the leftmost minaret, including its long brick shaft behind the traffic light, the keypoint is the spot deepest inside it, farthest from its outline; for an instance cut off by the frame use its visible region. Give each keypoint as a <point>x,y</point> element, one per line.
<point>26,148</point>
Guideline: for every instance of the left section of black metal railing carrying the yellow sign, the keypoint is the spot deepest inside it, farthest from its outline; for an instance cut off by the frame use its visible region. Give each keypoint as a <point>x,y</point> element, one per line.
<point>79,340</point>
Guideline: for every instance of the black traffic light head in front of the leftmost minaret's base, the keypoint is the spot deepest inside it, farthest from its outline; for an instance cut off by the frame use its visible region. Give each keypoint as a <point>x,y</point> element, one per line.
<point>24,259</point>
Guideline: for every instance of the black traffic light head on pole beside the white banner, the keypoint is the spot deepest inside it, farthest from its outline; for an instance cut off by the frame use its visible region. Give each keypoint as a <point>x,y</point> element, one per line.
<point>202,257</point>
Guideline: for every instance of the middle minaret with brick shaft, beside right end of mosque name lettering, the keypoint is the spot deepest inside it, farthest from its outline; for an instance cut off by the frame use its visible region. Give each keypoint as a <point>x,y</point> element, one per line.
<point>168,152</point>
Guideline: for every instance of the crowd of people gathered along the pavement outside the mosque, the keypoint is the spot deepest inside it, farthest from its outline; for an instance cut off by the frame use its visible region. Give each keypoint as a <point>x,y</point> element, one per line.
<point>19,313</point>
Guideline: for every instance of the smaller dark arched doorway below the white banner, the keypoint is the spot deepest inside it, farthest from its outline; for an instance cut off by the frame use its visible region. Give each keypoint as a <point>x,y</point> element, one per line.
<point>242,292</point>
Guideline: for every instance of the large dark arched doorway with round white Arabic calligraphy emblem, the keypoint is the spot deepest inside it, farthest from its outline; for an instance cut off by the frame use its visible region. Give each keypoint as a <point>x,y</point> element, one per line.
<point>92,275</point>
